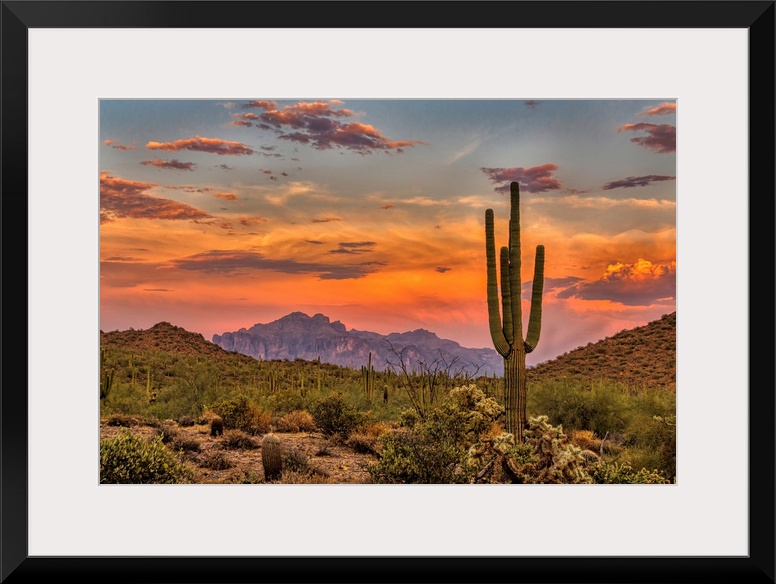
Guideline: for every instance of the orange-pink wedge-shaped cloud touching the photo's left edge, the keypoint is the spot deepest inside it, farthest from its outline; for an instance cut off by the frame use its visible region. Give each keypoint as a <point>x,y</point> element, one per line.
<point>120,198</point>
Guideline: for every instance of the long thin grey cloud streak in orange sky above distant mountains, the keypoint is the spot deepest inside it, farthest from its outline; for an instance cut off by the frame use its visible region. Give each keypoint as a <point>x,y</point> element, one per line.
<point>226,262</point>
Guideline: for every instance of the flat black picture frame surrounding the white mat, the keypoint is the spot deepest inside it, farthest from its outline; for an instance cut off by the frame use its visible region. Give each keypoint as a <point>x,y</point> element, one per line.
<point>756,16</point>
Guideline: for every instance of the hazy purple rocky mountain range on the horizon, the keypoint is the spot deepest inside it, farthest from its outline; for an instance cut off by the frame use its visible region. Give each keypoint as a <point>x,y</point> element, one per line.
<point>299,336</point>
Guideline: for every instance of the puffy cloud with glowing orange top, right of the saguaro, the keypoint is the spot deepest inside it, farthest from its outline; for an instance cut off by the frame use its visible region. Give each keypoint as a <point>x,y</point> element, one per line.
<point>639,284</point>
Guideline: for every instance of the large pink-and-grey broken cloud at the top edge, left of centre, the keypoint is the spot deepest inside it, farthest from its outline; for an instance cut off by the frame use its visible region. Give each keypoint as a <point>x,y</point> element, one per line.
<point>320,125</point>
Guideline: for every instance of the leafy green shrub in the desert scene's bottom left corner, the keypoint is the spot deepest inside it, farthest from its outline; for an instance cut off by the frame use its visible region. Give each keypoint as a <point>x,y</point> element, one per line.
<point>129,459</point>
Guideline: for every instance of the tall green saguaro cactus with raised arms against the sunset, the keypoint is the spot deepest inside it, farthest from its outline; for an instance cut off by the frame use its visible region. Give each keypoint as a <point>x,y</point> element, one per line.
<point>507,334</point>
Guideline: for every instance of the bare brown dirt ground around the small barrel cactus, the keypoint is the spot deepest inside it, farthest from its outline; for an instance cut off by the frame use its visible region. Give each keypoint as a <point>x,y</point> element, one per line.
<point>309,457</point>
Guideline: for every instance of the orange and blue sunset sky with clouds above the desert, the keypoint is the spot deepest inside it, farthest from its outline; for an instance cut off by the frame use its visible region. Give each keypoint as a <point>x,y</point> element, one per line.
<point>220,214</point>
